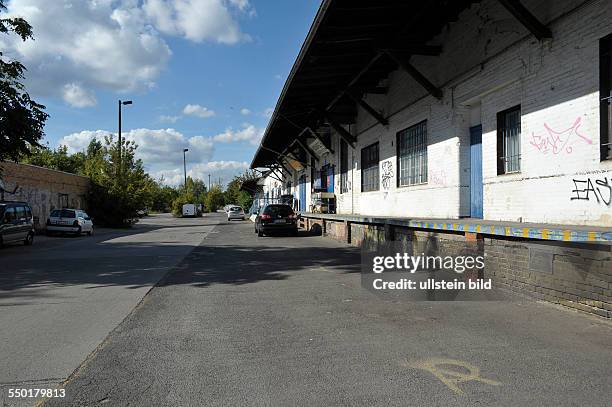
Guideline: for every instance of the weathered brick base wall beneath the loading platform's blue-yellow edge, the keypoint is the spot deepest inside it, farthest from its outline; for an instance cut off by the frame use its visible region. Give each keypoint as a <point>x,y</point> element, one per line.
<point>577,275</point>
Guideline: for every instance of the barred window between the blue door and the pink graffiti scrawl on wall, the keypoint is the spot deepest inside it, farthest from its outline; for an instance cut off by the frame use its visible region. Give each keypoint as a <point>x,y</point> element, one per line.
<point>509,140</point>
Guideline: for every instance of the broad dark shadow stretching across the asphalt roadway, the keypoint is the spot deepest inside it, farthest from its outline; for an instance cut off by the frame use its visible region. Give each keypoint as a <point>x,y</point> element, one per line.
<point>251,261</point>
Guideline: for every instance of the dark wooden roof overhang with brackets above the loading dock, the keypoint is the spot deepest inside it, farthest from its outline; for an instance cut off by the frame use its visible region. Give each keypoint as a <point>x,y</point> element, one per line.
<point>351,46</point>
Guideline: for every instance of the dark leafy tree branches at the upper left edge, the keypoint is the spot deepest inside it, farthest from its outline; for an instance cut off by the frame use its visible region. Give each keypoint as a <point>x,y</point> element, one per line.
<point>22,119</point>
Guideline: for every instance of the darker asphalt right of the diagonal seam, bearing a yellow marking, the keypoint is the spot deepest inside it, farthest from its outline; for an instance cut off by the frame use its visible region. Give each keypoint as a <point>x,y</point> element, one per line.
<point>279,321</point>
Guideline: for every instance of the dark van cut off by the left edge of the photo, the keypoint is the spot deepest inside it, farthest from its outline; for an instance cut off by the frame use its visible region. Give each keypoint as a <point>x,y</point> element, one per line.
<point>16,223</point>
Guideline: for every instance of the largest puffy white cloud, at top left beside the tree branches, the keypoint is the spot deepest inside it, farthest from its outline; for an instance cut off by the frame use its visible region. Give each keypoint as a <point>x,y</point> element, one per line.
<point>86,45</point>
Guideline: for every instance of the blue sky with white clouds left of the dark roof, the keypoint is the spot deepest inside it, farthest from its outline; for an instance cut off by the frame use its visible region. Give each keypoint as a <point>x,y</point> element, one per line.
<point>202,74</point>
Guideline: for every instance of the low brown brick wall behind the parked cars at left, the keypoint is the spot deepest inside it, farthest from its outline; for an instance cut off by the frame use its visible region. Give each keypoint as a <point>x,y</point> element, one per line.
<point>44,189</point>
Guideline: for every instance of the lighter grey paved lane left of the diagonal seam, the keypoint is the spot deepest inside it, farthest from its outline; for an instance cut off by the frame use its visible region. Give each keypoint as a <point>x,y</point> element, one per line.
<point>60,298</point>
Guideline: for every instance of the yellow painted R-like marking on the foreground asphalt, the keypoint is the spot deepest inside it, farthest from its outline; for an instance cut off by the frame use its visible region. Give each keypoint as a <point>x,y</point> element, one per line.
<point>452,377</point>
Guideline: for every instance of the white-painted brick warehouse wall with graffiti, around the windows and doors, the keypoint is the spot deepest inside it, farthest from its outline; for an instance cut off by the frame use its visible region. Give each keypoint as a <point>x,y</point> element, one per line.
<point>490,63</point>
